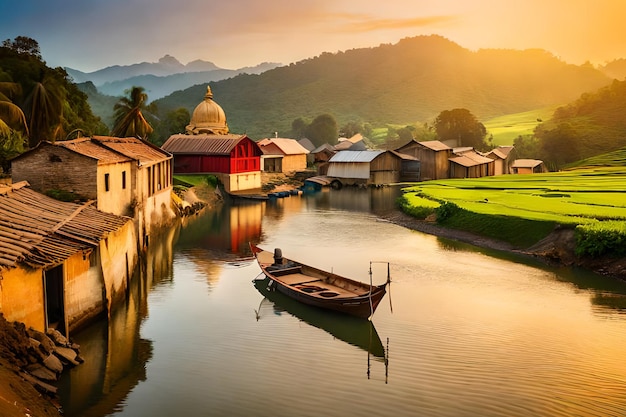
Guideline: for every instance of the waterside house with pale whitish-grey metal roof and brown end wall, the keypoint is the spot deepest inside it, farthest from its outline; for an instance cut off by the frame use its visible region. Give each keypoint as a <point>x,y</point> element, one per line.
<point>364,168</point>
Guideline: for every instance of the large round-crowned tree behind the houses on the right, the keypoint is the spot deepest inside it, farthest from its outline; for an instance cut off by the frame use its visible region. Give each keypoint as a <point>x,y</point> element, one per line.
<point>462,126</point>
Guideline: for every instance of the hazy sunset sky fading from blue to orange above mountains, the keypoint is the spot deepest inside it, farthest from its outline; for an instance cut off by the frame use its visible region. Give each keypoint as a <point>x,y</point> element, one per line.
<point>92,34</point>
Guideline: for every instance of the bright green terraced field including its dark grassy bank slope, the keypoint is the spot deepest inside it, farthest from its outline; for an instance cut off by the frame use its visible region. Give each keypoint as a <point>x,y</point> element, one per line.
<point>522,209</point>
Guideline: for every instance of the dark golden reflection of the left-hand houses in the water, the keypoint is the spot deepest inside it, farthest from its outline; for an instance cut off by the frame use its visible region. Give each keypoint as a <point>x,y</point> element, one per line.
<point>114,352</point>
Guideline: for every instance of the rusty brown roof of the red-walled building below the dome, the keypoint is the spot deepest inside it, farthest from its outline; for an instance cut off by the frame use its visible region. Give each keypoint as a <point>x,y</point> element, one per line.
<point>202,144</point>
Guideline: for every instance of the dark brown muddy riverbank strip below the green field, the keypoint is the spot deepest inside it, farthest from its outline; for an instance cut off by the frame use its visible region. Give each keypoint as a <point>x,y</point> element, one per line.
<point>558,248</point>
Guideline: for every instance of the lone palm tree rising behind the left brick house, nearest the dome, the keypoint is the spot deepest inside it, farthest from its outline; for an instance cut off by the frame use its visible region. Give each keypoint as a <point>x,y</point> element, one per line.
<point>129,120</point>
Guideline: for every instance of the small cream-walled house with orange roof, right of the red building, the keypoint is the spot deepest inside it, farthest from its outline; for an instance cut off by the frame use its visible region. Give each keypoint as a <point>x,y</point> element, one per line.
<point>282,155</point>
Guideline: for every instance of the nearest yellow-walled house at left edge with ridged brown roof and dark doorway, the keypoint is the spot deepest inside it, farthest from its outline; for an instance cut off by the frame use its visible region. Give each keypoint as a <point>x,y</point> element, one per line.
<point>61,264</point>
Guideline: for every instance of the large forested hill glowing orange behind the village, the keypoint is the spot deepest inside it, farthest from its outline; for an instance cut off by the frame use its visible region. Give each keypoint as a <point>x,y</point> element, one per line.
<point>408,82</point>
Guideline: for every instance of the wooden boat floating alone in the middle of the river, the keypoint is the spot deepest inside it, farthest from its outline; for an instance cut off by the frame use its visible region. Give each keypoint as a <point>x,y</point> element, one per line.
<point>319,288</point>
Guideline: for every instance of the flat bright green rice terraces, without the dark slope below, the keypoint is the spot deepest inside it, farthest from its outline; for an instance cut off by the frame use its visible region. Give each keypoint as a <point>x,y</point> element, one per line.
<point>569,197</point>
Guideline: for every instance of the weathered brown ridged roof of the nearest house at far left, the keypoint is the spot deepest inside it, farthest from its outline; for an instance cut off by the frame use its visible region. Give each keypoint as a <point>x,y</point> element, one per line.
<point>40,231</point>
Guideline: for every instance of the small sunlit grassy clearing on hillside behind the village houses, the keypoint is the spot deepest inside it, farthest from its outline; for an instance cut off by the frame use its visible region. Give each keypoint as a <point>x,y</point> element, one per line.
<point>506,128</point>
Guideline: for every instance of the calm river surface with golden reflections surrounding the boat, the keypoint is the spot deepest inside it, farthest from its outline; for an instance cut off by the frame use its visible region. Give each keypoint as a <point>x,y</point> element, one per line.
<point>462,332</point>
